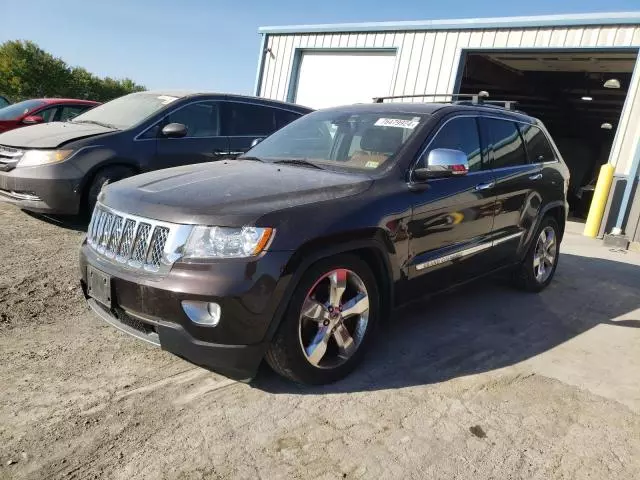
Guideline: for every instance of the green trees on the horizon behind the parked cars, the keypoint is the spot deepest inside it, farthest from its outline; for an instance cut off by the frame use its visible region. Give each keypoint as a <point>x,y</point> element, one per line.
<point>27,71</point>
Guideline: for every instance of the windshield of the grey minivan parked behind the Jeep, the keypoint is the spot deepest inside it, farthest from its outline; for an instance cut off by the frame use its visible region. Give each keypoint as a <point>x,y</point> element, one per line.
<point>125,112</point>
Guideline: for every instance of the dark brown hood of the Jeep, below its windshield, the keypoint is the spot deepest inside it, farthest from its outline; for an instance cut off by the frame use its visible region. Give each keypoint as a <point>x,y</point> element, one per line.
<point>227,193</point>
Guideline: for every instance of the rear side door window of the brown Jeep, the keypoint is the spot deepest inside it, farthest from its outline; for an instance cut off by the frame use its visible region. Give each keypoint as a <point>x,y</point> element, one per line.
<point>508,147</point>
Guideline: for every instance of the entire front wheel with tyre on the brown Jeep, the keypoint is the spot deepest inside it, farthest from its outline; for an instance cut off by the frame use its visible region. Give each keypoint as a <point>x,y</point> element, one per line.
<point>329,322</point>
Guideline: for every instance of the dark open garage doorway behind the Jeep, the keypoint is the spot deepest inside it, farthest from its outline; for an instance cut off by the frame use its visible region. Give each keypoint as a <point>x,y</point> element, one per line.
<point>578,95</point>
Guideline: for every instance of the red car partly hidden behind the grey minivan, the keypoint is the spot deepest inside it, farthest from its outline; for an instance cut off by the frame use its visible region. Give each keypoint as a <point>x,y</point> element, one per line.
<point>42,110</point>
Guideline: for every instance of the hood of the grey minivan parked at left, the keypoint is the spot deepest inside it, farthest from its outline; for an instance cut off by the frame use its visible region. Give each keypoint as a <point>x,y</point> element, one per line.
<point>50,135</point>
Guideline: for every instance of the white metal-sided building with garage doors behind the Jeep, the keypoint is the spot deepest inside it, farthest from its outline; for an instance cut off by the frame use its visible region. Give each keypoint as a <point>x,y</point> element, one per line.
<point>579,73</point>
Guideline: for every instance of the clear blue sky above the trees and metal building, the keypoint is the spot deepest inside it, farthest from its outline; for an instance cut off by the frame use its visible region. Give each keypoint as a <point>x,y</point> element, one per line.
<point>213,44</point>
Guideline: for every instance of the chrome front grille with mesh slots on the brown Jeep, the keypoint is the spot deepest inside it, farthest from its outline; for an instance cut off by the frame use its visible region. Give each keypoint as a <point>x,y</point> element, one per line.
<point>135,242</point>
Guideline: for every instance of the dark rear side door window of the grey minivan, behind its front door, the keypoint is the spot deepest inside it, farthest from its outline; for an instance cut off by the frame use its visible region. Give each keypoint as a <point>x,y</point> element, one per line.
<point>245,119</point>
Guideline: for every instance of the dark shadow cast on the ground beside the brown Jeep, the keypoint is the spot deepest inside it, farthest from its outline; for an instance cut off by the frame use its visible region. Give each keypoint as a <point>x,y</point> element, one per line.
<point>486,326</point>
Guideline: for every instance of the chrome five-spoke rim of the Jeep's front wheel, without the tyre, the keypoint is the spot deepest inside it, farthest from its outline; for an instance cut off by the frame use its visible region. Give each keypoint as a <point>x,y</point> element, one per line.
<point>334,318</point>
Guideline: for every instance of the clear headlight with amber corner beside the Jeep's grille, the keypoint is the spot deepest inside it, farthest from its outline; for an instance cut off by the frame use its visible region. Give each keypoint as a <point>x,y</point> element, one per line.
<point>225,242</point>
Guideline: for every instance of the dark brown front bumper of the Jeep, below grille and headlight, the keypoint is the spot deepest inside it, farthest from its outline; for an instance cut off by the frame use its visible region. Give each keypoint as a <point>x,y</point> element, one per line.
<point>149,308</point>
